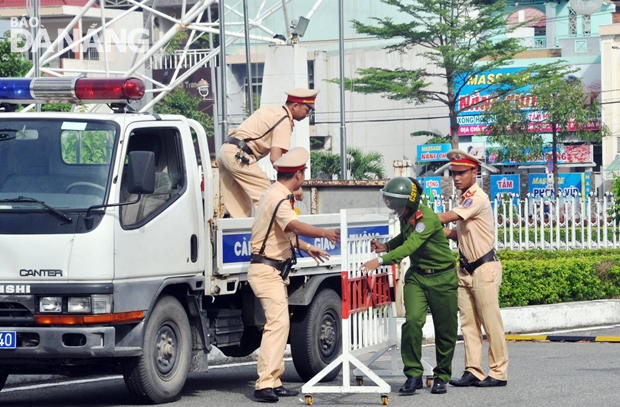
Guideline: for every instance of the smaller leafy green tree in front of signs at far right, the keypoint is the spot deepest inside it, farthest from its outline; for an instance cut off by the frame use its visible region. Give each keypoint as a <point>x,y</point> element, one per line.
<point>560,106</point>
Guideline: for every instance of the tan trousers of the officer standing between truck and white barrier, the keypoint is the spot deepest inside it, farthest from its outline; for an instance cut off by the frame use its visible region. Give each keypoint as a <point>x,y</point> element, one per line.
<point>270,289</point>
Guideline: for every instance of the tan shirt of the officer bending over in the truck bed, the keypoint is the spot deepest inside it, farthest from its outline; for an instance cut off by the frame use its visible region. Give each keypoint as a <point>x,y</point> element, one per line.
<point>259,122</point>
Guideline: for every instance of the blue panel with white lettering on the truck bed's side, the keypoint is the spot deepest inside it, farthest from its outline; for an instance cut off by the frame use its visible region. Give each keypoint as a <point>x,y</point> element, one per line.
<point>236,247</point>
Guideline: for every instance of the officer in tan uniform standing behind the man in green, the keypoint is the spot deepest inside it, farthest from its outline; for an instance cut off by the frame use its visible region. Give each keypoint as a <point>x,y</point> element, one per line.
<point>480,275</point>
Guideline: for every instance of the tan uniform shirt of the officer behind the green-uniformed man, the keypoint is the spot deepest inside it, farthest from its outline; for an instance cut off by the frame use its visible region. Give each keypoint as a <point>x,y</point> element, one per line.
<point>476,230</point>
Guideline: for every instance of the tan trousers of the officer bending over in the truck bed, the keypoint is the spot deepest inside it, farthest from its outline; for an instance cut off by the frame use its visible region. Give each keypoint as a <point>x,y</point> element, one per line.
<point>242,184</point>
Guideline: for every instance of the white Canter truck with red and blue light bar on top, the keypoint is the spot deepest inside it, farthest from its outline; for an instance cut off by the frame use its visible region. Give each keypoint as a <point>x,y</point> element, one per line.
<point>111,259</point>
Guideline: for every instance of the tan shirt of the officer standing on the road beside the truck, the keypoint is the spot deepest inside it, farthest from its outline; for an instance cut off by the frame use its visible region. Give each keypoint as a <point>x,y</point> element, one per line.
<point>278,245</point>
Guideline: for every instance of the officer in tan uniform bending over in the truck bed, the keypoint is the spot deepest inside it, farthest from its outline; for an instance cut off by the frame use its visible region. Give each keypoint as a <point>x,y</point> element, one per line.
<point>267,131</point>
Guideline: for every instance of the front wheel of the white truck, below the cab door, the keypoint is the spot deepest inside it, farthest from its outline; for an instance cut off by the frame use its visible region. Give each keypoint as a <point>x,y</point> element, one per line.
<point>158,376</point>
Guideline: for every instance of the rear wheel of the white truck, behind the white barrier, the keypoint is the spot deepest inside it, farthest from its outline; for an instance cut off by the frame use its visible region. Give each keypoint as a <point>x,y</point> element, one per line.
<point>316,337</point>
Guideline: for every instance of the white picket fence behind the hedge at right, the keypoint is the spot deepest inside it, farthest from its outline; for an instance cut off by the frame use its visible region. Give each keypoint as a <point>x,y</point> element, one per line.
<point>546,222</point>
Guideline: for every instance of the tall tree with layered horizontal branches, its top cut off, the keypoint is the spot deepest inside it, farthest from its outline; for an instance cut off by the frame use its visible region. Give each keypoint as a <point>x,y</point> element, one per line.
<point>461,38</point>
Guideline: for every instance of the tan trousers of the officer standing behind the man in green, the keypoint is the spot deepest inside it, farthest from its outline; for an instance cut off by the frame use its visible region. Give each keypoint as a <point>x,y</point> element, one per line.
<point>479,306</point>
